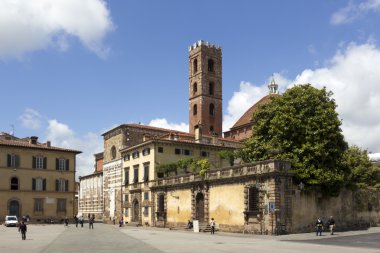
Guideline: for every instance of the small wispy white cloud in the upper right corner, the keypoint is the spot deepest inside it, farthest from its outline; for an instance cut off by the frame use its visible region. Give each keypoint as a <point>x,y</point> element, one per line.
<point>352,11</point>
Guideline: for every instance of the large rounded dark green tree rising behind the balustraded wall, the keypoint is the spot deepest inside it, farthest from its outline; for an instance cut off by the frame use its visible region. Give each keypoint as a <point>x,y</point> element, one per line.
<point>301,126</point>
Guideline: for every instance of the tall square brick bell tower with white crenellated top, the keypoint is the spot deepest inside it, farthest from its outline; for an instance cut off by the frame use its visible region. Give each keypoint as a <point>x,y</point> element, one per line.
<point>205,88</point>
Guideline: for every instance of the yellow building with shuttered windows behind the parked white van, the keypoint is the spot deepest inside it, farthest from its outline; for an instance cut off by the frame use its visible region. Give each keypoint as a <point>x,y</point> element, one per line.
<point>37,180</point>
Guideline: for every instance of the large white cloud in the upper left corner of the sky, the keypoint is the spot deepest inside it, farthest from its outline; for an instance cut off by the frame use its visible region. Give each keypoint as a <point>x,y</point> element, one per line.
<point>27,26</point>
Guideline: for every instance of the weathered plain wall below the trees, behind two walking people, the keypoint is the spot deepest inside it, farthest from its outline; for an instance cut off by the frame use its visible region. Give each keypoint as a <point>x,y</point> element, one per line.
<point>351,209</point>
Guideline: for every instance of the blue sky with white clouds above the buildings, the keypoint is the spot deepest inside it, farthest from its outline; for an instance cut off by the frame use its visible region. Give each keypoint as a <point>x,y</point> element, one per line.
<point>71,70</point>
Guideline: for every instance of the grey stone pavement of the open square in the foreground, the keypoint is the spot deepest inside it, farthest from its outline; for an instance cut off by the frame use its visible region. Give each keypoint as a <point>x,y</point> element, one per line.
<point>110,238</point>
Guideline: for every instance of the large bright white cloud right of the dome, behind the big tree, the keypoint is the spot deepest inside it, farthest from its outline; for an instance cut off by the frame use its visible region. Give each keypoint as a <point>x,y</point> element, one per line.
<point>354,78</point>
